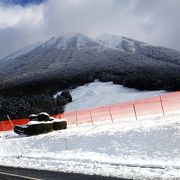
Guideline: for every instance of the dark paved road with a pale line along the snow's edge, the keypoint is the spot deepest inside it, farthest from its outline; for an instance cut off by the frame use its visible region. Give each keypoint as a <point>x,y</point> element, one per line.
<point>9,173</point>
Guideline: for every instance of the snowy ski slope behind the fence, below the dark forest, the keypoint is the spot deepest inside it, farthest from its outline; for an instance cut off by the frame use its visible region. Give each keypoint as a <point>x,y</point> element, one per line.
<point>98,94</point>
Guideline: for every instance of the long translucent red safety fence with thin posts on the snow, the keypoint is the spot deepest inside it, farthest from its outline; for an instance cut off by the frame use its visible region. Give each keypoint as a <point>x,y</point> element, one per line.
<point>158,105</point>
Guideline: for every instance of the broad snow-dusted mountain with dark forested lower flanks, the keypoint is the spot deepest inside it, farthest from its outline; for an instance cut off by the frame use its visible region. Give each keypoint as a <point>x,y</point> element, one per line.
<point>76,58</point>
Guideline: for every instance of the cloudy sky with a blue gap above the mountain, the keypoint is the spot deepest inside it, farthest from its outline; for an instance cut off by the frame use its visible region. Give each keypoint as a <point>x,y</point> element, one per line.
<point>152,21</point>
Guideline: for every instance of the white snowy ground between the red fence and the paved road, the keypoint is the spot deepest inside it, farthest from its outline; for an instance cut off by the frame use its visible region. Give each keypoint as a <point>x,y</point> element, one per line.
<point>143,149</point>
